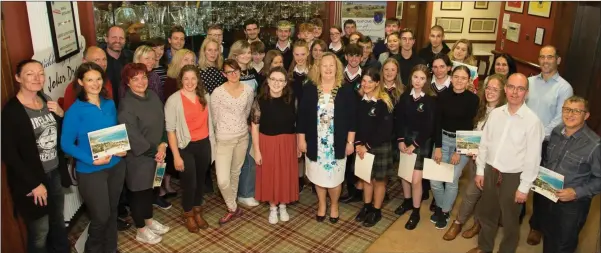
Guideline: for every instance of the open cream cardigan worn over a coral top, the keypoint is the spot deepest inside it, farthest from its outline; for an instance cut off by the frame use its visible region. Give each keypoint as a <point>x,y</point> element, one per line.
<point>176,121</point>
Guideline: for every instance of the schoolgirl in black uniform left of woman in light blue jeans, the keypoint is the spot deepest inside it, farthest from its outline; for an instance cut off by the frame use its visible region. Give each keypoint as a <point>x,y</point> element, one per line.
<point>415,120</point>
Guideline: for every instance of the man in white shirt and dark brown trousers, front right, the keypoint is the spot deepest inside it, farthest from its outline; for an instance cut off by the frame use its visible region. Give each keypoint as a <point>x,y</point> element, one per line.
<point>507,164</point>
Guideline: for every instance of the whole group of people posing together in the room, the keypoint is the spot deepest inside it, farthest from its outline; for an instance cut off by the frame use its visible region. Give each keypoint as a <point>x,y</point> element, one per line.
<point>266,119</point>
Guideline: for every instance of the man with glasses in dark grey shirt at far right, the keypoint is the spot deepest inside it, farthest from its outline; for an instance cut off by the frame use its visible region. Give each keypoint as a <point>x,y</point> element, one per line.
<point>574,152</point>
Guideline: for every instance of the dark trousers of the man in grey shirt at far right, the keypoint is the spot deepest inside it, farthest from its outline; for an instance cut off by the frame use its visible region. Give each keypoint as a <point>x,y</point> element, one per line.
<point>561,223</point>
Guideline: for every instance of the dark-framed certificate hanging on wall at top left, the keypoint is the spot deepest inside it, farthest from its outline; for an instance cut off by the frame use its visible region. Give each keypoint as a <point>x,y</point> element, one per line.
<point>63,29</point>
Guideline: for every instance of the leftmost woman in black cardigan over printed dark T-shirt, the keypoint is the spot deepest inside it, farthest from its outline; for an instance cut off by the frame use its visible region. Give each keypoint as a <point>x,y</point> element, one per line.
<point>35,163</point>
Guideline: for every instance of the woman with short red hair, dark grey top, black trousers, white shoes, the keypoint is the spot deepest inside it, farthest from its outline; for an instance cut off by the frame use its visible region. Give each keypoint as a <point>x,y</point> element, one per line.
<point>141,112</point>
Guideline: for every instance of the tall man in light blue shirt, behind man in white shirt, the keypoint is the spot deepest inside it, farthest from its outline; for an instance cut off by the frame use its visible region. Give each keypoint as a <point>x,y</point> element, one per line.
<point>548,93</point>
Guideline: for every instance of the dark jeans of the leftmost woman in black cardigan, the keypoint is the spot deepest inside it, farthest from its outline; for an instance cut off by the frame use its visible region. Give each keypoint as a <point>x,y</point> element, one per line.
<point>48,233</point>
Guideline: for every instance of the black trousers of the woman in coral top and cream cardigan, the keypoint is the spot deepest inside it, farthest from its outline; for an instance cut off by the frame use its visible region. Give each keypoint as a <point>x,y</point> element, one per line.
<point>197,159</point>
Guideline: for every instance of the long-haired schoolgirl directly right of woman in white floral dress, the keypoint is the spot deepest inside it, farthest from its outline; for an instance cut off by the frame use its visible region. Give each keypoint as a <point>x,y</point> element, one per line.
<point>374,130</point>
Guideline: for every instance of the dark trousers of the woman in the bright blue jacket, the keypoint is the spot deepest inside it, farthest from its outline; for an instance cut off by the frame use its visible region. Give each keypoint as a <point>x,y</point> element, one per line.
<point>100,191</point>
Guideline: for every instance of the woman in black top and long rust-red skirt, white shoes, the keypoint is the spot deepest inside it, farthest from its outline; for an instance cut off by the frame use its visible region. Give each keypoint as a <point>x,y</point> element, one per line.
<point>273,116</point>
